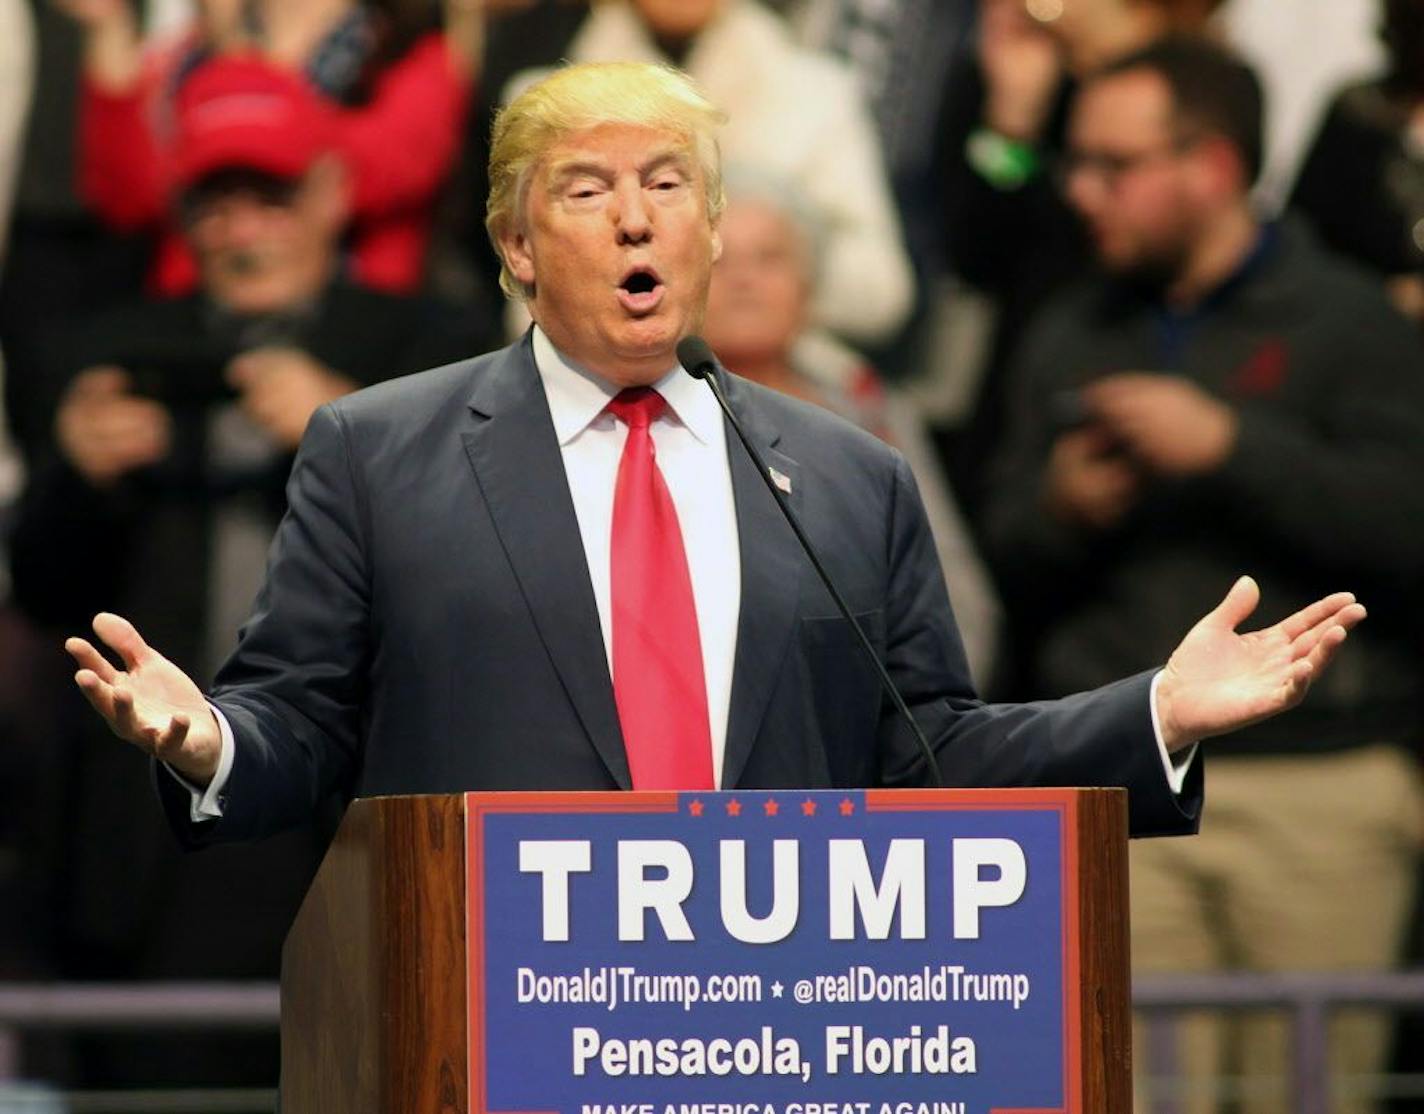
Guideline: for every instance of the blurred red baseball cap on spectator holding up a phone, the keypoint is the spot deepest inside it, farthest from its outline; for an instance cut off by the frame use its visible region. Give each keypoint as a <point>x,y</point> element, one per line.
<point>243,113</point>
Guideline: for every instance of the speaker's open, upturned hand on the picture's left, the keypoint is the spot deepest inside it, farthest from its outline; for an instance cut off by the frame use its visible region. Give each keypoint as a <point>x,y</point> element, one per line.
<point>150,703</point>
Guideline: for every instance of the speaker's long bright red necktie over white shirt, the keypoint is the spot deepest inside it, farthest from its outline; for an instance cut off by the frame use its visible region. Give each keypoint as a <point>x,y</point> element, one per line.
<point>659,679</point>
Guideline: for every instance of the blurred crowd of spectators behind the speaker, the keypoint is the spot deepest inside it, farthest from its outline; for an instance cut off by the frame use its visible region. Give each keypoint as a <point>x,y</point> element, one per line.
<point>1131,340</point>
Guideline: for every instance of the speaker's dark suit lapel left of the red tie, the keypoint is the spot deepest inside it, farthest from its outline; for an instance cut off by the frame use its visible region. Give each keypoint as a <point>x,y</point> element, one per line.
<point>520,471</point>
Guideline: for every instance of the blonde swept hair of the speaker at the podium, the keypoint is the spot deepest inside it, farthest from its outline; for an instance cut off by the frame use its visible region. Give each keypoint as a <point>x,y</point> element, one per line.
<point>580,98</point>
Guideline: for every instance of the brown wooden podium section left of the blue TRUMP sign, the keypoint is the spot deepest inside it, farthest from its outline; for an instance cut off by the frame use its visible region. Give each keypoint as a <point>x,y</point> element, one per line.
<point>374,971</point>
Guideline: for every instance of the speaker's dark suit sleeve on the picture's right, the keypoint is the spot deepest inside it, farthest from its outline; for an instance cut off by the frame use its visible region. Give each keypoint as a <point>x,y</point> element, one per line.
<point>1096,739</point>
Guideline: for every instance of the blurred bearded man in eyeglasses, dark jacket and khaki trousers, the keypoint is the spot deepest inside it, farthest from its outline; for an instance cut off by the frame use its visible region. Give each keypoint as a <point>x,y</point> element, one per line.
<point>1227,395</point>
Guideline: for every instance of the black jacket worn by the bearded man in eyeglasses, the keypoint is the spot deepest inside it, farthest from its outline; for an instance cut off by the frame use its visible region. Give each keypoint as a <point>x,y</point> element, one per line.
<point>1322,492</point>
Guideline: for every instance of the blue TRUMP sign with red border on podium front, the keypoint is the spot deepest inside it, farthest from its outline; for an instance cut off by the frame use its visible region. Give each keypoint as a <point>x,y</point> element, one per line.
<point>899,952</point>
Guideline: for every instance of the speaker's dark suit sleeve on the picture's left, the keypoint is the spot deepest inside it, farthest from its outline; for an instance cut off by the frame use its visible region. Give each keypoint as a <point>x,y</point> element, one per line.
<point>295,687</point>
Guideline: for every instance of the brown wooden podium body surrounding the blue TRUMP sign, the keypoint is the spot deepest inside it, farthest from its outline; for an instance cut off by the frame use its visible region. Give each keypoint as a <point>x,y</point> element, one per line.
<point>375,968</point>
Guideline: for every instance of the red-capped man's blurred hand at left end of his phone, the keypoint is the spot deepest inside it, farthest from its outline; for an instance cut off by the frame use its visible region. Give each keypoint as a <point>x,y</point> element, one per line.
<point>105,431</point>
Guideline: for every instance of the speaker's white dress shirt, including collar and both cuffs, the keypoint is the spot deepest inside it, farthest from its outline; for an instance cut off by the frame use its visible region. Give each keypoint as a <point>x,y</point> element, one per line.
<point>690,442</point>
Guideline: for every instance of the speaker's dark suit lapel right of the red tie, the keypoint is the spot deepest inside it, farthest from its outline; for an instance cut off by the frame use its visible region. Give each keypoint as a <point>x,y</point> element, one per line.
<point>773,566</point>
